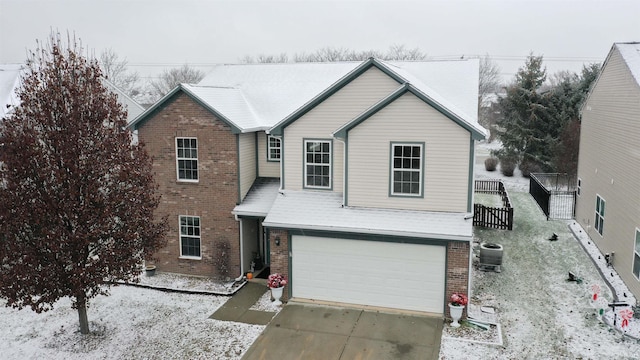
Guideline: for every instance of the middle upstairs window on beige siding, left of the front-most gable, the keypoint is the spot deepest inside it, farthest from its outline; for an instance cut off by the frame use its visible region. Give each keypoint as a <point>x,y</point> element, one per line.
<point>317,164</point>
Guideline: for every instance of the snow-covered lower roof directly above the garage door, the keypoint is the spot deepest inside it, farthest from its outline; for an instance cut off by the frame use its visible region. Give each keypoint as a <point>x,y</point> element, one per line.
<point>323,211</point>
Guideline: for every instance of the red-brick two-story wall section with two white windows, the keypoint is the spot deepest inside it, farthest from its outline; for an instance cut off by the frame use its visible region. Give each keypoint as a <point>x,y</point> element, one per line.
<point>212,198</point>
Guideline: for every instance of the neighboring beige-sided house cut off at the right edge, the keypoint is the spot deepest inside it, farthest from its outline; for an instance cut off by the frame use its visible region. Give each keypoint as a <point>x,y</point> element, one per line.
<point>608,200</point>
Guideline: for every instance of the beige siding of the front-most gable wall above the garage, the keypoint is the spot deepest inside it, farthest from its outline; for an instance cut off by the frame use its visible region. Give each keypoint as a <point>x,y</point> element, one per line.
<point>446,165</point>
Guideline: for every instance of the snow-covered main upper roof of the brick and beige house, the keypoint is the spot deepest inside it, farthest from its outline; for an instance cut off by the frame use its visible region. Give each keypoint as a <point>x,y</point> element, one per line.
<point>254,97</point>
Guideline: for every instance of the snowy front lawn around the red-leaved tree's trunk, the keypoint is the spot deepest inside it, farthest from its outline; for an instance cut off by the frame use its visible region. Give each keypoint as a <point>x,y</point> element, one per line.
<point>132,323</point>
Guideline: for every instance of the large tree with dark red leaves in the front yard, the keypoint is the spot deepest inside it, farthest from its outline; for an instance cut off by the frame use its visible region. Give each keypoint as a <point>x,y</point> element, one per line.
<point>77,196</point>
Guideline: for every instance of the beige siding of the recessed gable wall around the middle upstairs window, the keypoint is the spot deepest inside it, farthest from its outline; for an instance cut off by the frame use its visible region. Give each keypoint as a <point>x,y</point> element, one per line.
<point>328,116</point>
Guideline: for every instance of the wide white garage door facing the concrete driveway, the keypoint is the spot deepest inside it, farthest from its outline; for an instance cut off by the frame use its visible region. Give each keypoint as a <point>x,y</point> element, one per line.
<point>393,275</point>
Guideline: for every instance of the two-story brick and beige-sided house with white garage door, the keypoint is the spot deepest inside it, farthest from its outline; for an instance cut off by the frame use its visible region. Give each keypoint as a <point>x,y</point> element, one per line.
<point>353,179</point>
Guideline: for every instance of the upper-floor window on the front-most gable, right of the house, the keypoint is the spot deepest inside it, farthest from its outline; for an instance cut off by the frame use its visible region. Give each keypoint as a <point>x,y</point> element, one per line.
<point>406,169</point>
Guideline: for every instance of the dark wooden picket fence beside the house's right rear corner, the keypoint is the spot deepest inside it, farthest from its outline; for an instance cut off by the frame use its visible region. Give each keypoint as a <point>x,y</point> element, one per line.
<point>493,217</point>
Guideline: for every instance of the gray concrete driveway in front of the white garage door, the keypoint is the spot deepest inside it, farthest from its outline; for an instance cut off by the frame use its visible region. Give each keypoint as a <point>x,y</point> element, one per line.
<point>303,331</point>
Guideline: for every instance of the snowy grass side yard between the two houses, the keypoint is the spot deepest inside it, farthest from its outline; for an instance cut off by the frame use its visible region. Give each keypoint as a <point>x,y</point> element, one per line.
<point>542,316</point>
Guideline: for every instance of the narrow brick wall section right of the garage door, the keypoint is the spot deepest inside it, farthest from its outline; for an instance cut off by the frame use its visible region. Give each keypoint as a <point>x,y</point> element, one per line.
<point>457,271</point>
